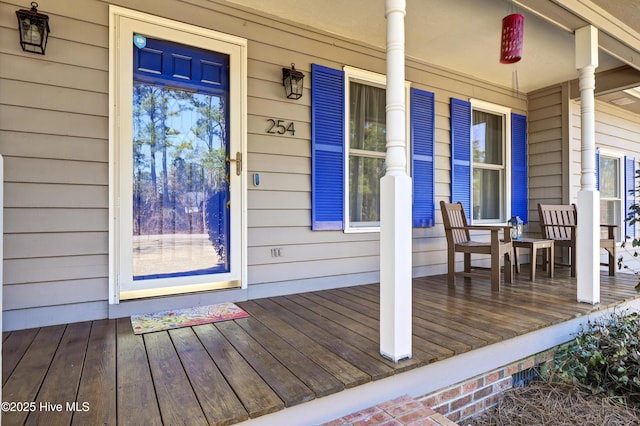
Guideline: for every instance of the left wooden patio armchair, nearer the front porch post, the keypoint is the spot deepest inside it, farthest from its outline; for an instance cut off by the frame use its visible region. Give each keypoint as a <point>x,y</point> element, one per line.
<point>459,240</point>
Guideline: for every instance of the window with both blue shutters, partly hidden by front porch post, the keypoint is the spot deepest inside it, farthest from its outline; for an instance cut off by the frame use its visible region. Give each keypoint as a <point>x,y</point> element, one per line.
<point>348,150</point>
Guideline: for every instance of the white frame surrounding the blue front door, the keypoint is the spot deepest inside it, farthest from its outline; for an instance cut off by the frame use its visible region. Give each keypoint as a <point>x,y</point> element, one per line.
<point>121,22</point>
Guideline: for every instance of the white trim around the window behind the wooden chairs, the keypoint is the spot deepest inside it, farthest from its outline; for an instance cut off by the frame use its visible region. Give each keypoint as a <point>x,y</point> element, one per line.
<point>480,105</point>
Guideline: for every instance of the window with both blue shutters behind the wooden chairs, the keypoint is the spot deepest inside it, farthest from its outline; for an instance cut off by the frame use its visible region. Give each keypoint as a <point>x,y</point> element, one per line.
<point>489,161</point>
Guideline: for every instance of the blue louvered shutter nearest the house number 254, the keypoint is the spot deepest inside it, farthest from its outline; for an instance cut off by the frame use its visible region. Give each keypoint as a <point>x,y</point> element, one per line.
<point>327,148</point>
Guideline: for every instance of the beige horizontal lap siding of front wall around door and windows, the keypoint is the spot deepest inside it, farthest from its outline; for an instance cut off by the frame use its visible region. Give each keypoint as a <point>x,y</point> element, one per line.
<point>55,143</point>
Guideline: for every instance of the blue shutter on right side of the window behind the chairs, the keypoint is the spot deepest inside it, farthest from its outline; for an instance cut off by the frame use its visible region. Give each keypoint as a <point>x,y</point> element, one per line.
<point>519,174</point>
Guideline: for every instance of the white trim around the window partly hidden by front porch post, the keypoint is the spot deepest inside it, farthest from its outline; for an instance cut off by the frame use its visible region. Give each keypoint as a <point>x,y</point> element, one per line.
<point>373,79</point>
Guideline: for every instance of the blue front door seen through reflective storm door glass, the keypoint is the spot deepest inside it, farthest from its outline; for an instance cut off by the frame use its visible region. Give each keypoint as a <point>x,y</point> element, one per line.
<point>181,199</point>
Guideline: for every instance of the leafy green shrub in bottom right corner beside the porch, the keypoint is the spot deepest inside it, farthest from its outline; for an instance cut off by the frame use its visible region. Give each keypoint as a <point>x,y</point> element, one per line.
<point>604,357</point>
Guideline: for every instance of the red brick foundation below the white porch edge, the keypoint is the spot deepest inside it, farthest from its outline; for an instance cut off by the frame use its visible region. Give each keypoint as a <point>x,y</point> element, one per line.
<point>471,397</point>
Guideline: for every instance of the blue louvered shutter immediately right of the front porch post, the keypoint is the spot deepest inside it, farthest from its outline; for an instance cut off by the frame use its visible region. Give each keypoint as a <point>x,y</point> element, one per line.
<point>422,146</point>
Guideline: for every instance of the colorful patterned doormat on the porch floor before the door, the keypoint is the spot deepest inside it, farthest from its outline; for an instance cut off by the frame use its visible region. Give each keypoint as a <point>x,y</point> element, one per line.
<point>186,317</point>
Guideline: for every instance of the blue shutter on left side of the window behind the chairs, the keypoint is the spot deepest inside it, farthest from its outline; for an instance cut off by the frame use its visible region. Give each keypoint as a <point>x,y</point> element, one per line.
<point>461,154</point>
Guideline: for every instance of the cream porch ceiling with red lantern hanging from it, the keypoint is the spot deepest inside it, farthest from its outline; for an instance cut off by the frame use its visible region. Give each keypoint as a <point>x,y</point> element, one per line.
<point>464,35</point>
